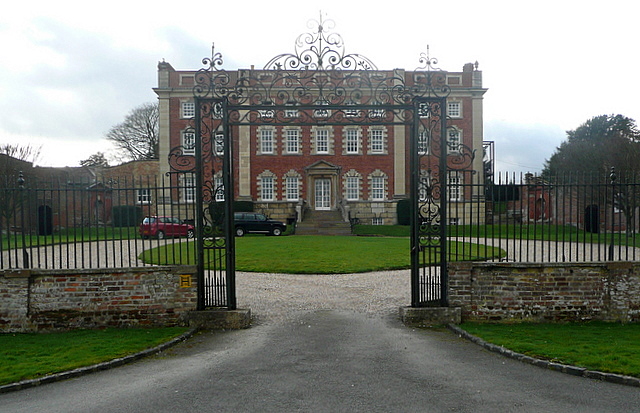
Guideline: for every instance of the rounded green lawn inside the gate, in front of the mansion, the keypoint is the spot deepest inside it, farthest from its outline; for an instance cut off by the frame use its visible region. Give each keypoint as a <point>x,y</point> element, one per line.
<point>316,254</point>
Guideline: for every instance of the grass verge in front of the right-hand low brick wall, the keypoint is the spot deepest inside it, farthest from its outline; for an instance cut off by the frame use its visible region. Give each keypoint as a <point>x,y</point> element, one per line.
<point>606,347</point>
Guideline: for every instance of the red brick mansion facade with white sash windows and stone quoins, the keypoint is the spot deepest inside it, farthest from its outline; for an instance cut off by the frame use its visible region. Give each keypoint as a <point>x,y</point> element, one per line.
<point>379,165</point>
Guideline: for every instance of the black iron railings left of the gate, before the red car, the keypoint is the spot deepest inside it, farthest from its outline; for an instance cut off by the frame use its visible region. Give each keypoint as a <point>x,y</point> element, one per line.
<point>70,224</point>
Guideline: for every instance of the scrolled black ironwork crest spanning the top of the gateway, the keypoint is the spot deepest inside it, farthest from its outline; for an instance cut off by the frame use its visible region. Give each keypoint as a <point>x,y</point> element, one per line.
<point>319,72</point>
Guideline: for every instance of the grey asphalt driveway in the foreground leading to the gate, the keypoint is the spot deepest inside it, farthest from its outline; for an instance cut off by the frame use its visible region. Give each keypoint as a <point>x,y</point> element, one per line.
<point>331,361</point>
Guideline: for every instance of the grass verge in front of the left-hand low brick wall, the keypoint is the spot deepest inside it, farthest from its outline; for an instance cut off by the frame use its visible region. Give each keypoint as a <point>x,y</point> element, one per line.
<point>31,355</point>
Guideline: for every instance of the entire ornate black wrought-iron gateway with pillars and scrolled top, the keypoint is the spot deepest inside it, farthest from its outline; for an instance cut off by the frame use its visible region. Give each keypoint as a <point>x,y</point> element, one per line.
<point>319,85</point>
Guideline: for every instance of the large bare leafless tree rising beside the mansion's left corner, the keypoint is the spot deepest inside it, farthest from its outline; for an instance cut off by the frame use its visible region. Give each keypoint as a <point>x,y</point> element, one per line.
<point>137,136</point>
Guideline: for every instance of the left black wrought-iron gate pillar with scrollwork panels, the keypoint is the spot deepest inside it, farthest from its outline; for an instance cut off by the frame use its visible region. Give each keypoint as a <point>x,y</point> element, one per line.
<point>212,168</point>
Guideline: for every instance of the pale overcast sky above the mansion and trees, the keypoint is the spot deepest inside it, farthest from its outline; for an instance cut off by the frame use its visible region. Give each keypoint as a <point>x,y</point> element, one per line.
<point>70,70</point>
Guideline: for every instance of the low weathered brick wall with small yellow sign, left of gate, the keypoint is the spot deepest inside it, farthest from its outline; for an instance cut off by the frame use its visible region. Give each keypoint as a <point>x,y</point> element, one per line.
<point>48,300</point>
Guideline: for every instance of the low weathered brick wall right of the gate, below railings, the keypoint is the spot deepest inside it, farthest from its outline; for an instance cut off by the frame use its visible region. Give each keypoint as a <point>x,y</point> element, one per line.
<point>546,292</point>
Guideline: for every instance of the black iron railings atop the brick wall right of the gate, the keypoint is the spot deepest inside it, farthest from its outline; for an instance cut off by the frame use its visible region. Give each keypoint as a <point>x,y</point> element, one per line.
<point>529,218</point>
